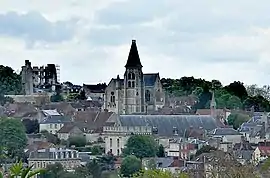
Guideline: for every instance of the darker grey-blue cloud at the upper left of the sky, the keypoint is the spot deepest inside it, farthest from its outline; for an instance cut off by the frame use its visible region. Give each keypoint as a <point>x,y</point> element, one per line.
<point>32,26</point>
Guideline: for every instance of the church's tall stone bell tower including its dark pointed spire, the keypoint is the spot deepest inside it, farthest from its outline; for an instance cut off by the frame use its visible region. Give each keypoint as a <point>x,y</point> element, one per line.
<point>133,83</point>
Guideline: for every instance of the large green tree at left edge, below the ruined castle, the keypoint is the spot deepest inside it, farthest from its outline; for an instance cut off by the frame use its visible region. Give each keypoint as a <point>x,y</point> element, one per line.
<point>12,136</point>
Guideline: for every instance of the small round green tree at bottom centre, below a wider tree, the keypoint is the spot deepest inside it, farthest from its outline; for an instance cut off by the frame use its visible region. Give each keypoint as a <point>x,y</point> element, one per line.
<point>130,165</point>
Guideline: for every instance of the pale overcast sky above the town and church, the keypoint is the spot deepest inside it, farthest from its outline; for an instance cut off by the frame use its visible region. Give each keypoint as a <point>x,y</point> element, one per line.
<point>90,39</point>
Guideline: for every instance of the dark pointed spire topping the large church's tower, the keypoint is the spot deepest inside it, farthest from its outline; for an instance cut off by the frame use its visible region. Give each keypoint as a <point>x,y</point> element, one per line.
<point>133,57</point>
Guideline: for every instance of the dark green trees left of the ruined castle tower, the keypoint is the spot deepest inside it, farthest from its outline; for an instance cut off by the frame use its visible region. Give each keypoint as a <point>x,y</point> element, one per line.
<point>10,82</point>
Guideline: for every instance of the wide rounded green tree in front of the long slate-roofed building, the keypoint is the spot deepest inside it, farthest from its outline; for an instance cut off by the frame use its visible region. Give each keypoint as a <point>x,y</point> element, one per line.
<point>141,146</point>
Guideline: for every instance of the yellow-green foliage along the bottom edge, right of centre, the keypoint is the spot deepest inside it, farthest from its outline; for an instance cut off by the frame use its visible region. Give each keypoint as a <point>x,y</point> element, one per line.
<point>159,174</point>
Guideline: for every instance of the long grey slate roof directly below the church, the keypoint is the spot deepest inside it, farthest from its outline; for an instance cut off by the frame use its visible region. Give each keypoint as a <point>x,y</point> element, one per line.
<point>165,123</point>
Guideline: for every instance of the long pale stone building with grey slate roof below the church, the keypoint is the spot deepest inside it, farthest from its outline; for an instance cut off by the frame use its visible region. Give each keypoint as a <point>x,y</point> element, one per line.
<point>163,127</point>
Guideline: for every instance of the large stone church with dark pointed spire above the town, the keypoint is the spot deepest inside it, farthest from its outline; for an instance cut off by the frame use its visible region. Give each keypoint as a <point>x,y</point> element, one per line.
<point>136,93</point>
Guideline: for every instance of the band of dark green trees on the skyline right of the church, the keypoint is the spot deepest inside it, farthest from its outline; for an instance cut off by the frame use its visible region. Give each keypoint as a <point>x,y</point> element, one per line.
<point>232,96</point>
